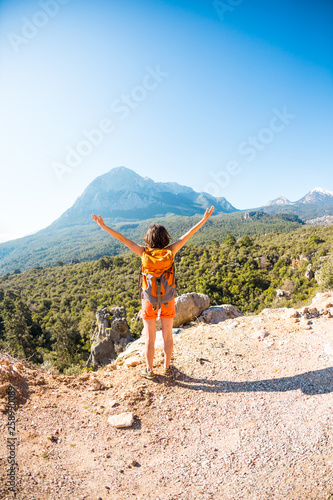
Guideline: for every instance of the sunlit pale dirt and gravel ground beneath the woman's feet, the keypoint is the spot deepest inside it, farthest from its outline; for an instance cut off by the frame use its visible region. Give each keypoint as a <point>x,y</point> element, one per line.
<point>241,418</point>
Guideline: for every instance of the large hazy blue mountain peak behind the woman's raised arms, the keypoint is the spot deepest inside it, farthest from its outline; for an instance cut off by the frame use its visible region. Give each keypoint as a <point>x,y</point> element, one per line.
<point>122,194</point>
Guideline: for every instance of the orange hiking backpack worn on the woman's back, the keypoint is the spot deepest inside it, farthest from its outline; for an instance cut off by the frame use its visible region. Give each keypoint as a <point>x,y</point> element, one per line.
<point>157,276</point>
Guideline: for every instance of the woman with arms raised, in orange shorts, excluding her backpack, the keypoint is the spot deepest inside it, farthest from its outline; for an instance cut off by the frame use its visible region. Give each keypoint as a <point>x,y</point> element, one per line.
<point>157,237</point>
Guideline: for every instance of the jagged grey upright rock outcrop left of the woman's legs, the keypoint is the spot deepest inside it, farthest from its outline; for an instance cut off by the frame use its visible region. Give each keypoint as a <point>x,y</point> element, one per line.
<point>110,336</point>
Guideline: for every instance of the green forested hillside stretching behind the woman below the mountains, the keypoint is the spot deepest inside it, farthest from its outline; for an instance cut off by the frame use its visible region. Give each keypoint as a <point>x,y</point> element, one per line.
<point>46,312</point>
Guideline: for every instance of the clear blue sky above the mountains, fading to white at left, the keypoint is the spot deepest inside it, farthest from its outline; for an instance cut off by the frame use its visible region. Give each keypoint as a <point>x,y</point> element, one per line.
<point>231,97</point>
